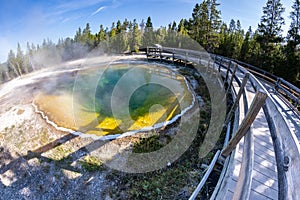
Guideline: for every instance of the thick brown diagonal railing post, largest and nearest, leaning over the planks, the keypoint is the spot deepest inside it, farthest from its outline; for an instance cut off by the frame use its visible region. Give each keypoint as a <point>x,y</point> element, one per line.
<point>258,102</point>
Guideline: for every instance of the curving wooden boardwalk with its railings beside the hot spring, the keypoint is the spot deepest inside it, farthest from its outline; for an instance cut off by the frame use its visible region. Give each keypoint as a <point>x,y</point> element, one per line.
<point>266,163</point>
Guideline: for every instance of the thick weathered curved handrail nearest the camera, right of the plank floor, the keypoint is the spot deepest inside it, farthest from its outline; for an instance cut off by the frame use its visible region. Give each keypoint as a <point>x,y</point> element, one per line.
<point>282,144</point>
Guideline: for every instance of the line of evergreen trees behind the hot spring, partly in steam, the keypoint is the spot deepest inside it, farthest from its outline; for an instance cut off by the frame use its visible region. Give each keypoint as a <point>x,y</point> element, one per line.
<point>264,47</point>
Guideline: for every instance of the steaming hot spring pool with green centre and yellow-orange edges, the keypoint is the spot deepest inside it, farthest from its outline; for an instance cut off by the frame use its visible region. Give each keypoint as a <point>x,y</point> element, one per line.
<point>115,99</point>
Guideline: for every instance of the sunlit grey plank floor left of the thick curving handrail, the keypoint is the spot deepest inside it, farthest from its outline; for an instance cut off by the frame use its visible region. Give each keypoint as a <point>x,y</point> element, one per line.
<point>264,184</point>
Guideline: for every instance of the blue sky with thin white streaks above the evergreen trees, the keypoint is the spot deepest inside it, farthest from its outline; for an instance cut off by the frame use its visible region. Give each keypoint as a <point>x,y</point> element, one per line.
<point>34,20</point>
